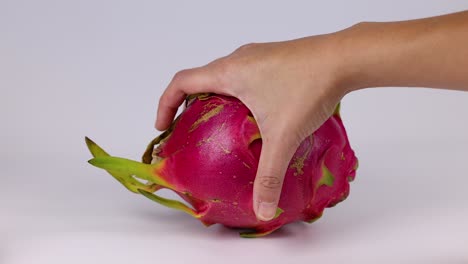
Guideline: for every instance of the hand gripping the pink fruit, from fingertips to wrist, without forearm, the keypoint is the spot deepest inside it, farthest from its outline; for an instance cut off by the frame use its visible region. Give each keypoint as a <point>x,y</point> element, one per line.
<point>291,88</point>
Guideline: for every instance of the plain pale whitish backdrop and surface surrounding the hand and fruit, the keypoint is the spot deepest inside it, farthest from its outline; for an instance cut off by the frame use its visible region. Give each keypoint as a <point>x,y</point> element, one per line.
<point>97,68</point>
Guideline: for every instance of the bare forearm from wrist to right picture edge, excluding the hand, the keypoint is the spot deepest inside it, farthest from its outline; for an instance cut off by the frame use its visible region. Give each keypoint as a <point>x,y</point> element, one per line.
<point>430,52</point>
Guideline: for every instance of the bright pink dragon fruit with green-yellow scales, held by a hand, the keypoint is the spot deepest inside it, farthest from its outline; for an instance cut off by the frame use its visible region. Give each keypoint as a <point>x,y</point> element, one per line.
<point>209,157</point>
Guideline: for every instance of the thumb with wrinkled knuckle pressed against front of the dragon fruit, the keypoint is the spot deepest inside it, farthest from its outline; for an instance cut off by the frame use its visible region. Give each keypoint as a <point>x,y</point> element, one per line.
<point>274,160</point>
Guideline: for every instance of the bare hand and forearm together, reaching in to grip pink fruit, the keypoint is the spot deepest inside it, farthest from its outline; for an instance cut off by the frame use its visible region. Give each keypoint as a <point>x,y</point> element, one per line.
<point>314,74</point>
